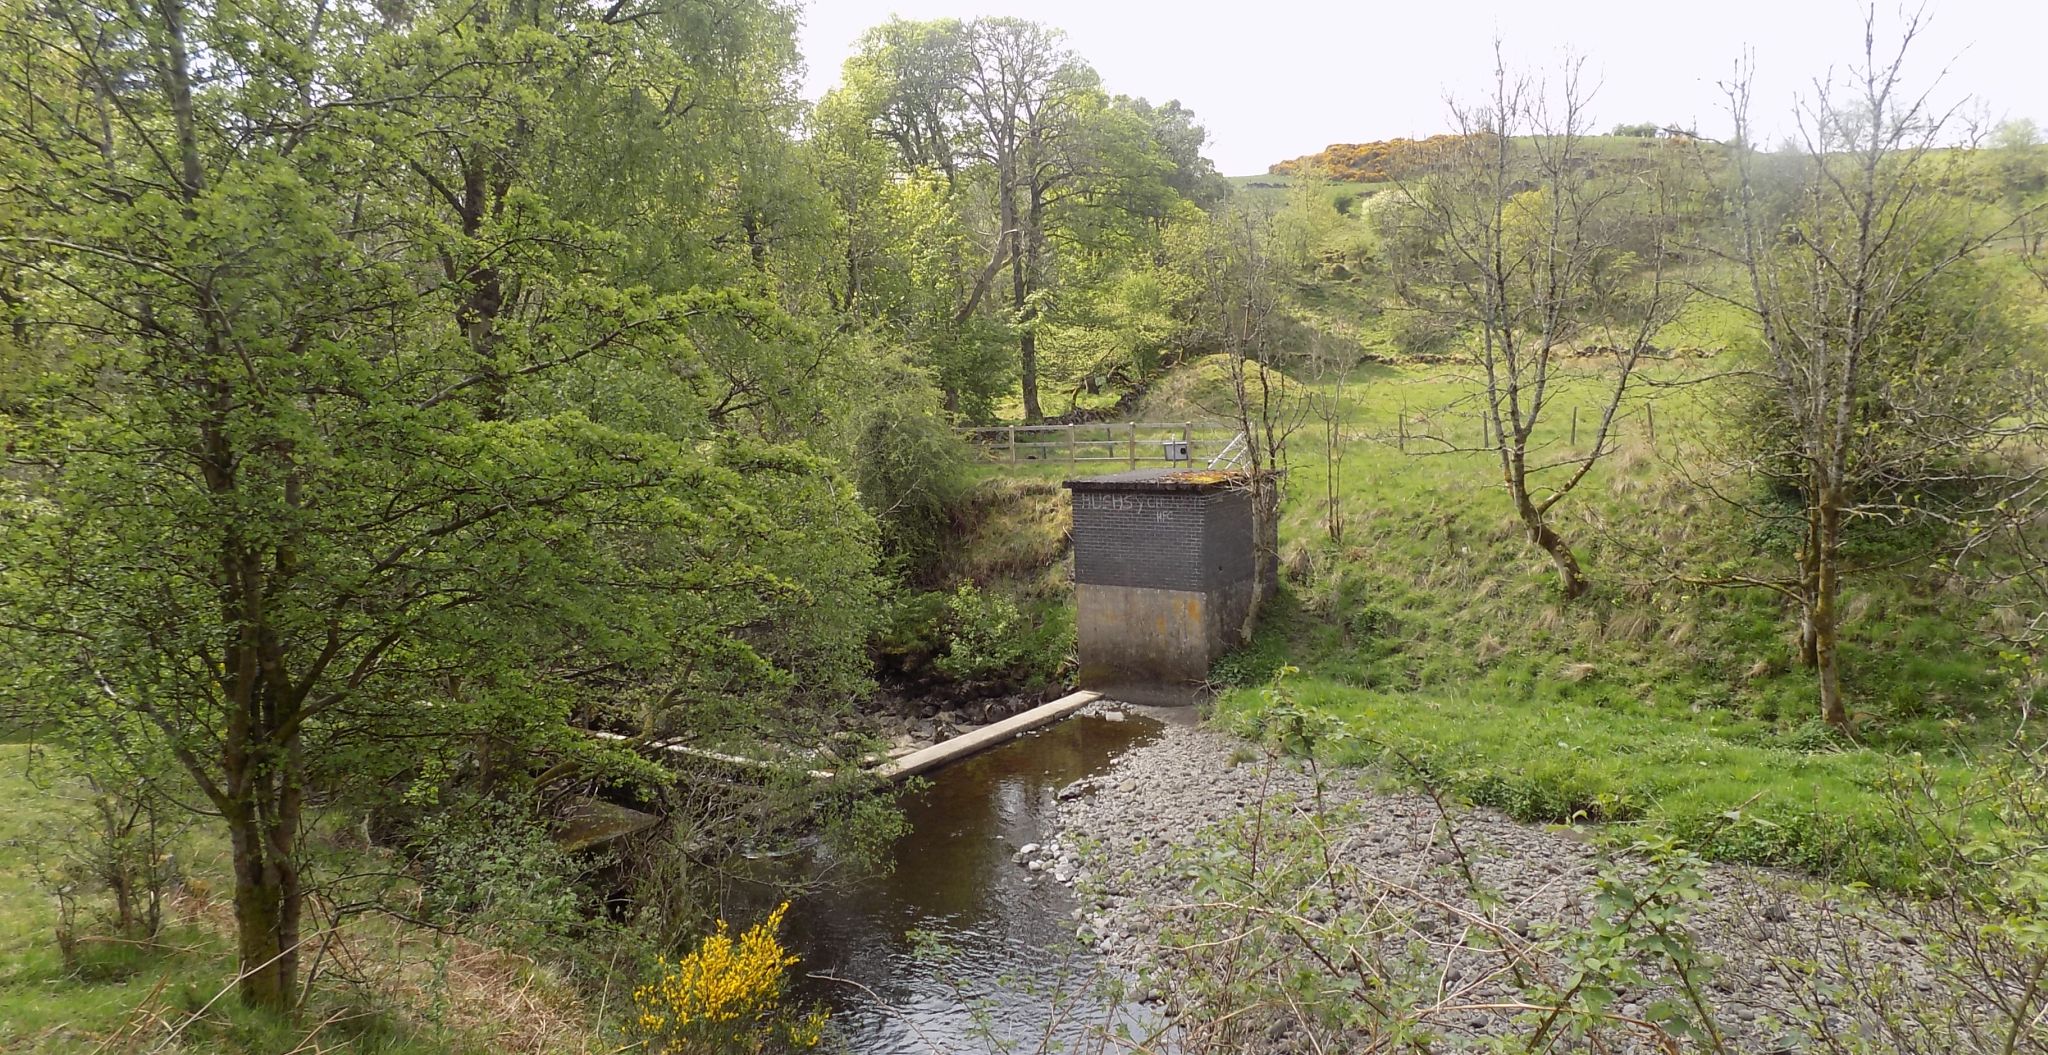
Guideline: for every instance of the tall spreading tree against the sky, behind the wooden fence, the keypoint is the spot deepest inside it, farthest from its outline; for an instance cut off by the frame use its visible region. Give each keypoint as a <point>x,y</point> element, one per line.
<point>1002,140</point>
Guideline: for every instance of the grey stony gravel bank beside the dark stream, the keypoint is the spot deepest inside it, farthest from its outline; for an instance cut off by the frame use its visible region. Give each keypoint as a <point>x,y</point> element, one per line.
<point>1471,923</point>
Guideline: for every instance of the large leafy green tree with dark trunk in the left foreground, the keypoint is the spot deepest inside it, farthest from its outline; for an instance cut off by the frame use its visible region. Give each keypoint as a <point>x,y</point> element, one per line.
<point>335,493</point>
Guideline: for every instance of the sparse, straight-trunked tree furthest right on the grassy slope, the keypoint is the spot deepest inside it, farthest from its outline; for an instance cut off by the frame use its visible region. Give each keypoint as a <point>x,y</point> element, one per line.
<point>1883,368</point>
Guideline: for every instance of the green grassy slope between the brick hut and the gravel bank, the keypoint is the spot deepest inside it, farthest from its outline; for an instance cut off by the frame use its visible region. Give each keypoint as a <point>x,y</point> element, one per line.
<point>1433,634</point>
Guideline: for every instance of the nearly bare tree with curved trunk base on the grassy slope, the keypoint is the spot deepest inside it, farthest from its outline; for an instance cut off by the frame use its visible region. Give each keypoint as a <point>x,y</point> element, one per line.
<point>1541,253</point>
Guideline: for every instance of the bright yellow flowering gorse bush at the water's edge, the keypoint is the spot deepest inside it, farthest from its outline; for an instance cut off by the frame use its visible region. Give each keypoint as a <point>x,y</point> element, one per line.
<point>726,995</point>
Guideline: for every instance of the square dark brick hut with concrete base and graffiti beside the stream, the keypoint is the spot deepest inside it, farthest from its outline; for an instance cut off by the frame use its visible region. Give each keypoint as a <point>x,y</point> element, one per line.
<point>1164,577</point>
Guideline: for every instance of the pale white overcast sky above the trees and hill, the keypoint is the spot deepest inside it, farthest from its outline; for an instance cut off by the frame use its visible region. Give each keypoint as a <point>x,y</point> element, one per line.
<point>1275,79</point>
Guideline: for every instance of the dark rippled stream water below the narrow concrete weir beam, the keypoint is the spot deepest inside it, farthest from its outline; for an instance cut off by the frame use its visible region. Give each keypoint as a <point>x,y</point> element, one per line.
<point>1007,933</point>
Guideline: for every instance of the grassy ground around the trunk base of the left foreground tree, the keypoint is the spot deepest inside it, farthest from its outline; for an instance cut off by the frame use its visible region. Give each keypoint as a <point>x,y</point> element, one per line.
<point>419,993</point>
